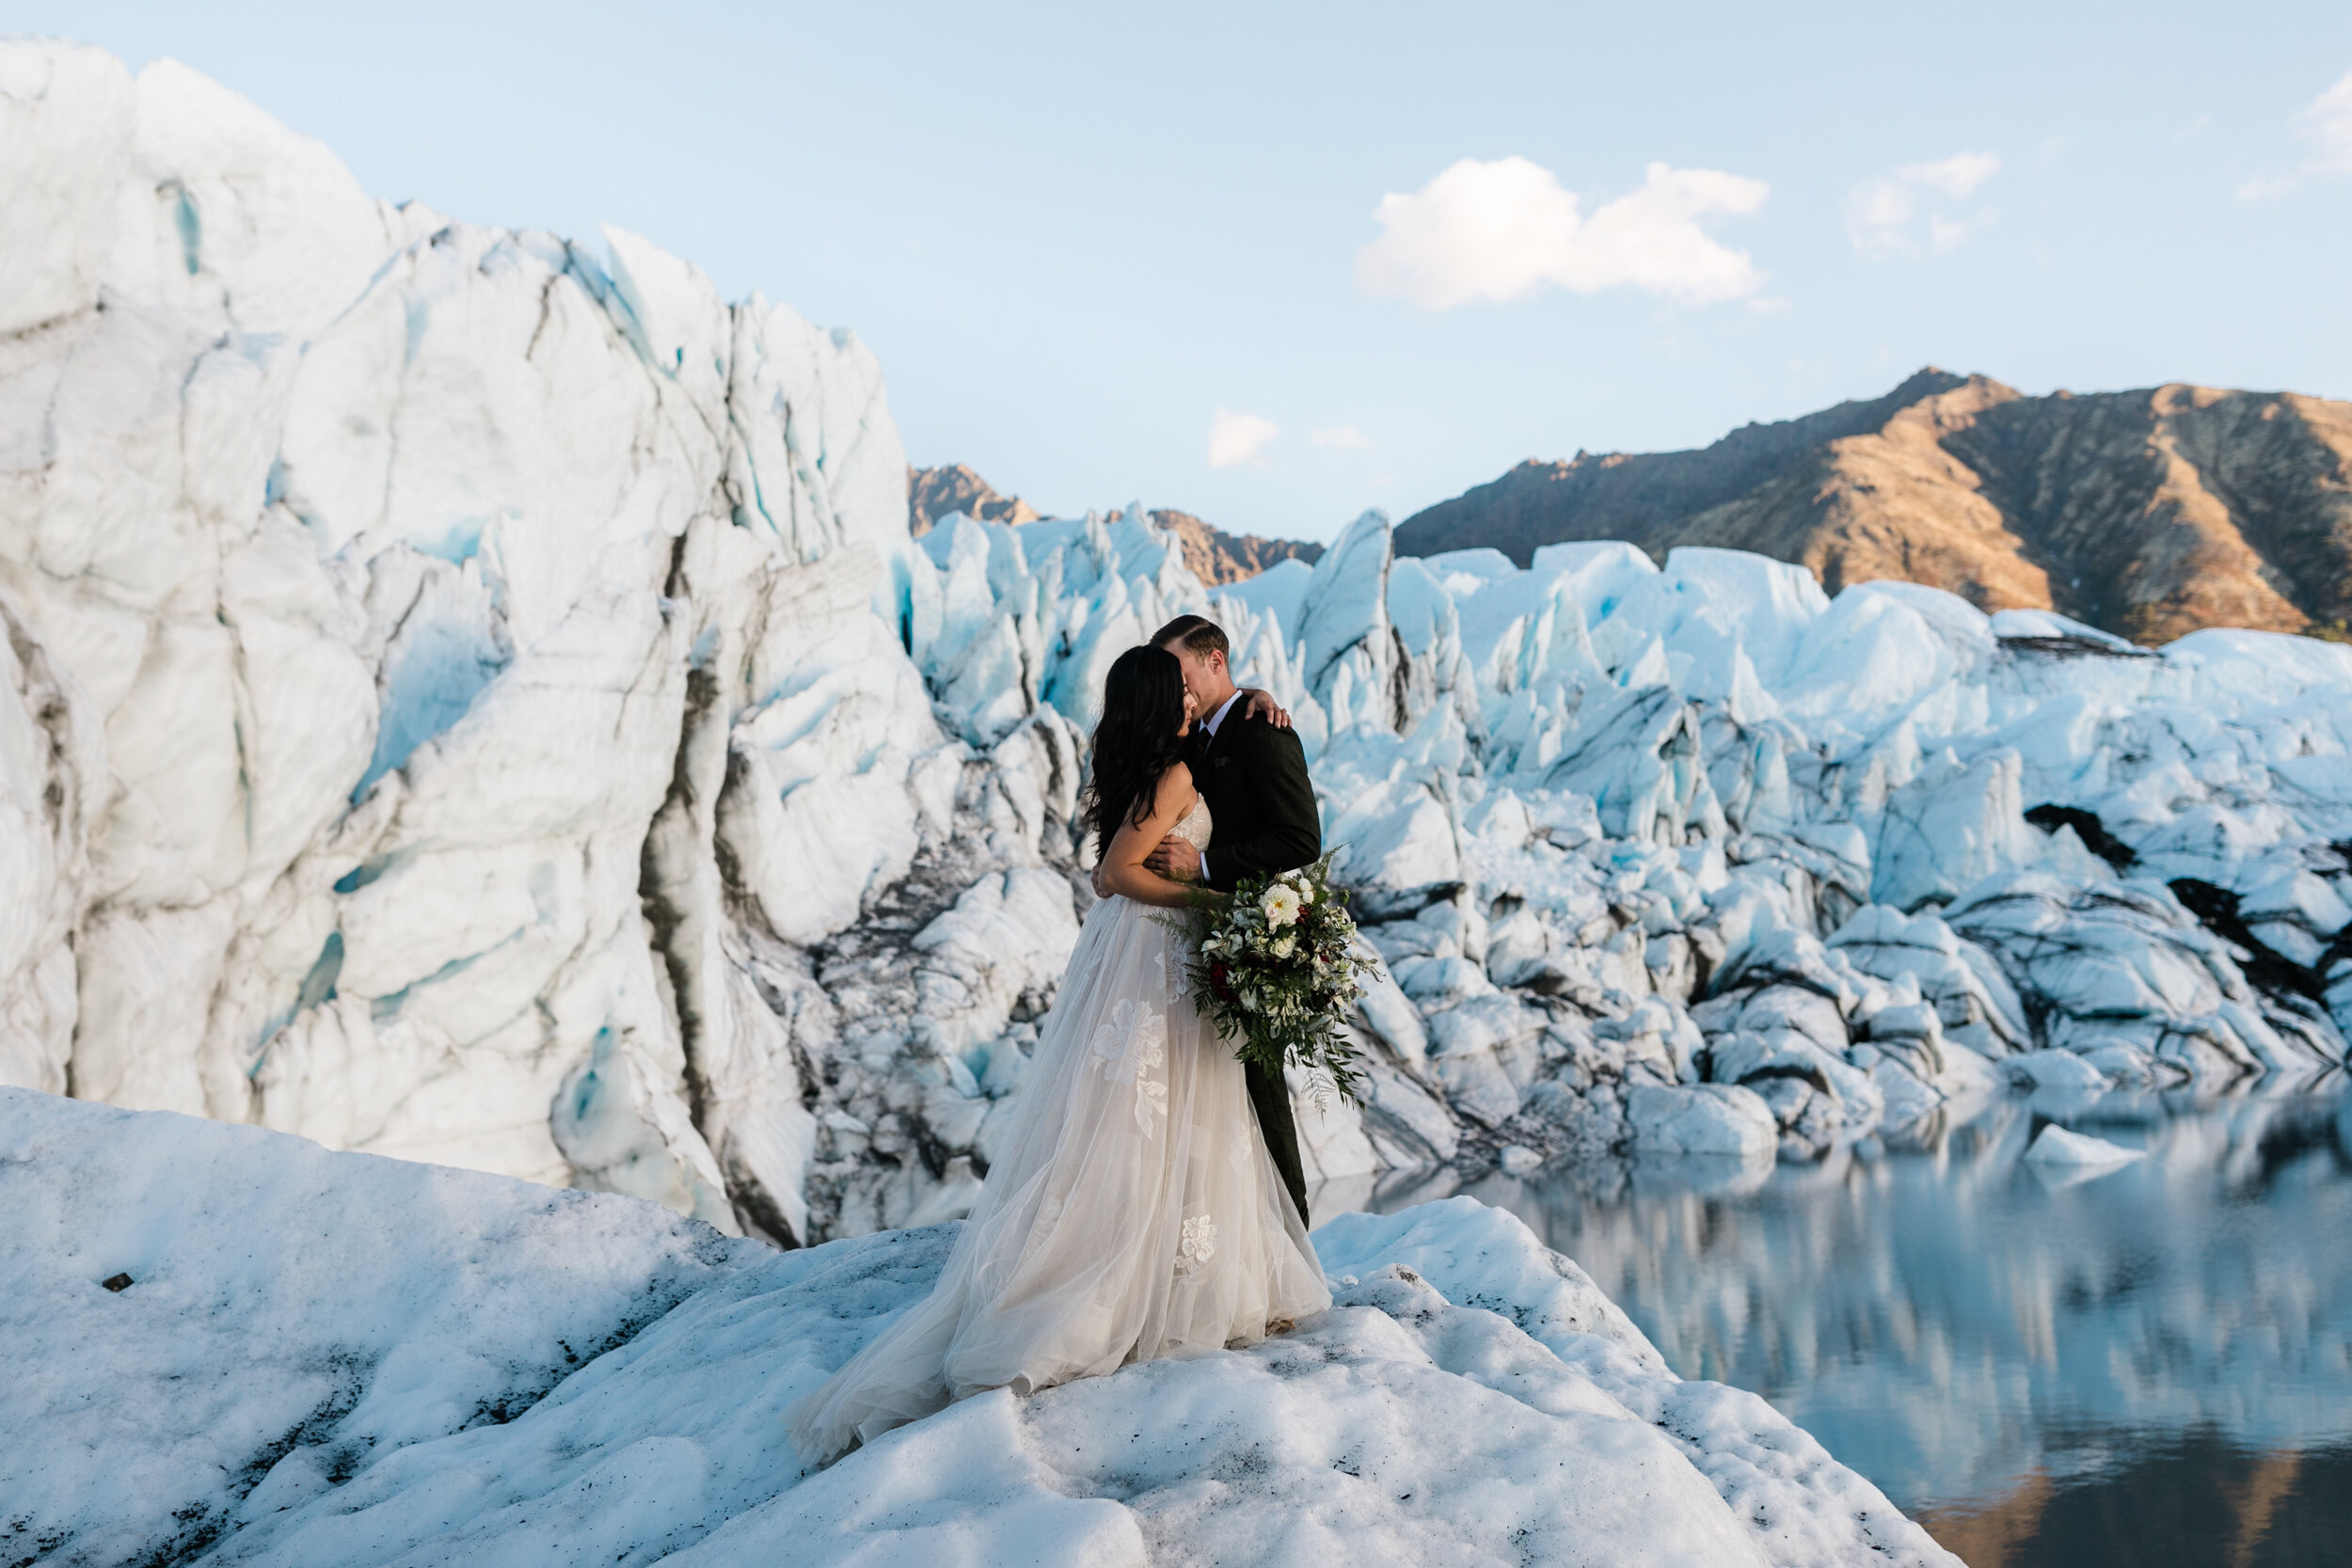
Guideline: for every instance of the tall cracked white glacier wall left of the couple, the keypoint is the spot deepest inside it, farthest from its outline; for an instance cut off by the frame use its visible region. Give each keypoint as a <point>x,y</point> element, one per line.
<point>389,605</point>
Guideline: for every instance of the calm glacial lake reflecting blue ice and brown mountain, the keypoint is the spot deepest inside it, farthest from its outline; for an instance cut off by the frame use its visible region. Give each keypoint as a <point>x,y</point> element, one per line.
<point>2144,1367</point>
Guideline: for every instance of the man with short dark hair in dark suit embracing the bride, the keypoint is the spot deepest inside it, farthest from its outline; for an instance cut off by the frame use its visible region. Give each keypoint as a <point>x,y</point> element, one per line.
<point>1255,777</point>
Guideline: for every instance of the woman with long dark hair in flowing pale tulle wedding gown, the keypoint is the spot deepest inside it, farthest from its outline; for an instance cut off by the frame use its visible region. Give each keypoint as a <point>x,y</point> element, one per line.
<point>1137,1212</point>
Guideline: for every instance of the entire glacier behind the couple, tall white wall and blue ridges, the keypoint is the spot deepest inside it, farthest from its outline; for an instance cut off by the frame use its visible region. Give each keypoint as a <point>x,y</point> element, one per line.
<point>479,702</point>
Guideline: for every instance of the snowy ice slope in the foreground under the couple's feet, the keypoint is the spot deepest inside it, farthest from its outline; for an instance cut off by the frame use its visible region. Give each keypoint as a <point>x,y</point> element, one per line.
<point>349,1360</point>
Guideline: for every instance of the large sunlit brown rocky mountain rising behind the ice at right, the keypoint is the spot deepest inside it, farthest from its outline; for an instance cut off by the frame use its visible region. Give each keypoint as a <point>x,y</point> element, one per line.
<point>2146,514</point>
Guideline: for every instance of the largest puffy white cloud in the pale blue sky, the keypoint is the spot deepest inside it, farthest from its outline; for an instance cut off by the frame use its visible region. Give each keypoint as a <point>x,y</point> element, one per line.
<point>1499,232</point>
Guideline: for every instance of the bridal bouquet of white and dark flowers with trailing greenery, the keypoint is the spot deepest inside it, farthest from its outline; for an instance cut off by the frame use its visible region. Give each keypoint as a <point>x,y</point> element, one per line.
<point>1278,970</point>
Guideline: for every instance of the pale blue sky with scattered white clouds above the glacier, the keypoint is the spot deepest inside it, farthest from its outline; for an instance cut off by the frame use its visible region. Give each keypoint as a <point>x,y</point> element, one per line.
<point>1377,255</point>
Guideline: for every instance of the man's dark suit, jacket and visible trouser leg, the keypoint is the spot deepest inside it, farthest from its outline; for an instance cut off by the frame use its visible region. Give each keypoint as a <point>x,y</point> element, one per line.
<point>1264,822</point>
